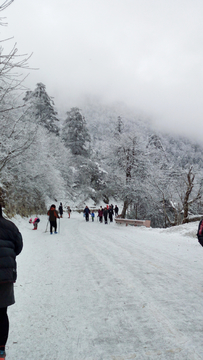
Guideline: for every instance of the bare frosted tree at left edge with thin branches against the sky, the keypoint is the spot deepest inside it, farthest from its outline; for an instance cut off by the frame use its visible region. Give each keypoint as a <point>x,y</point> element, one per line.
<point>16,135</point>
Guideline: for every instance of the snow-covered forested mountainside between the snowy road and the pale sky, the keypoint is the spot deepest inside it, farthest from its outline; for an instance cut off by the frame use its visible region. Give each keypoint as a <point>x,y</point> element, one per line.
<point>95,152</point>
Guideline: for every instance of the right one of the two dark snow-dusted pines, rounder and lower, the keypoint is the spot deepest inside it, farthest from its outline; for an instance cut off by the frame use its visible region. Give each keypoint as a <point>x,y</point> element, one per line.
<point>75,133</point>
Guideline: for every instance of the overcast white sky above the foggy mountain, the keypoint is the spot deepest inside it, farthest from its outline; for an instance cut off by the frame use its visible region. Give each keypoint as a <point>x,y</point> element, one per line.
<point>147,53</point>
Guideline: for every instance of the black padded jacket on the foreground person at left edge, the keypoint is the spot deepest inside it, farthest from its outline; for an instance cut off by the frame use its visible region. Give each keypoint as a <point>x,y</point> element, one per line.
<point>11,244</point>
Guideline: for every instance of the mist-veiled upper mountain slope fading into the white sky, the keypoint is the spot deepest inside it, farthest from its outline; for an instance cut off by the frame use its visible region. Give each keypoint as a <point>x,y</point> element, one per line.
<point>101,121</point>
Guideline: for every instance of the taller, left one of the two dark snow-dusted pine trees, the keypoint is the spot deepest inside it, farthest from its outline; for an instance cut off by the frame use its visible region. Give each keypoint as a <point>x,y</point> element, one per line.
<point>43,107</point>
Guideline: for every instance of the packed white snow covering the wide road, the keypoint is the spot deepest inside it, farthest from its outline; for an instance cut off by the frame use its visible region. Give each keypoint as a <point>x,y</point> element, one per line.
<point>107,292</point>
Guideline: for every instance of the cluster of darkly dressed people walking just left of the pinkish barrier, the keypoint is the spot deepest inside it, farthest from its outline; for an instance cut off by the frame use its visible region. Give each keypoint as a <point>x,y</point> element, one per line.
<point>103,213</point>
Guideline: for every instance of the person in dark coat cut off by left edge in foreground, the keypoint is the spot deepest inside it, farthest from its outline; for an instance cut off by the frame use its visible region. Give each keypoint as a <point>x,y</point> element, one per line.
<point>11,245</point>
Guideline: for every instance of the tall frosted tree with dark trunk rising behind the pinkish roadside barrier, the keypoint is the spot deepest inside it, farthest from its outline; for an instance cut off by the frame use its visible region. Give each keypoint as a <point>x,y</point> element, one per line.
<point>127,171</point>
